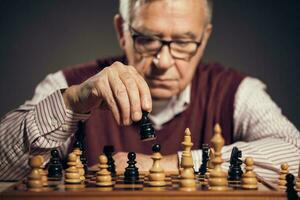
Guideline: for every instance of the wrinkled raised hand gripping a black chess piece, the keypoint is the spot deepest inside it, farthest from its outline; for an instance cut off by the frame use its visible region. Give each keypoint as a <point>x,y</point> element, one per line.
<point>119,87</point>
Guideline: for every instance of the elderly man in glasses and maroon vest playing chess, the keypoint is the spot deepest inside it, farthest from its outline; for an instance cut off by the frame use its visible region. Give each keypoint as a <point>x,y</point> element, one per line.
<point>161,72</point>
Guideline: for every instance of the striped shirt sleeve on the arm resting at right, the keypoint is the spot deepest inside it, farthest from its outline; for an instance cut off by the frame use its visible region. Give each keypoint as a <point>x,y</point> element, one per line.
<point>261,131</point>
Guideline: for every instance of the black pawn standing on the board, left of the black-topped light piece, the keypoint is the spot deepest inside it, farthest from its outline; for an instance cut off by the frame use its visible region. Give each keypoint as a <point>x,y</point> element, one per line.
<point>131,174</point>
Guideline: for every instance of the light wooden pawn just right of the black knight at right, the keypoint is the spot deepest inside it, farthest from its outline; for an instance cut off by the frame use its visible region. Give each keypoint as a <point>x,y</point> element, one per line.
<point>249,180</point>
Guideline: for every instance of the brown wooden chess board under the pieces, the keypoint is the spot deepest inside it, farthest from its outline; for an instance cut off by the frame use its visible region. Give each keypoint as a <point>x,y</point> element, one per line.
<point>140,190</point>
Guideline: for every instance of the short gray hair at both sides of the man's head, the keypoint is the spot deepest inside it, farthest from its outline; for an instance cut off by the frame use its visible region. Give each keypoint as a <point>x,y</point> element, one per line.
<point>126,7</point>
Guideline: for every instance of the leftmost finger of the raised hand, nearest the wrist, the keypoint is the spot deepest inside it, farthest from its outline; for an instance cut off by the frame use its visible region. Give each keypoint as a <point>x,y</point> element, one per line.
<point>104,90</point>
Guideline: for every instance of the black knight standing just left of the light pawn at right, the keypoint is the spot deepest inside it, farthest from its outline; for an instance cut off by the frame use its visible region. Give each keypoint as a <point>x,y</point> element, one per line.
<point>235,171</point>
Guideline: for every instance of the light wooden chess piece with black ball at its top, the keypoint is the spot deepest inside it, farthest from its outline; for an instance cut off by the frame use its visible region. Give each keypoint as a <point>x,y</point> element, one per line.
<point>156,173</point>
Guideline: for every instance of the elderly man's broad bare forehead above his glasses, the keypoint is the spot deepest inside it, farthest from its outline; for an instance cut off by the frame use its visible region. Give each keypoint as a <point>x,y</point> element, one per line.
<point>176,17</point>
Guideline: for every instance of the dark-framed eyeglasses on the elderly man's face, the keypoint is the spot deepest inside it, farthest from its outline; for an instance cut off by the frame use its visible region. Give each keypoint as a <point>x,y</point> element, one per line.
<point>151,45</point>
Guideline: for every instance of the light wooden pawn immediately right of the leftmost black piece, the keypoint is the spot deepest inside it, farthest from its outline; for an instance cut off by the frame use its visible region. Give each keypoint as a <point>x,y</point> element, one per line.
<point>72,175</point>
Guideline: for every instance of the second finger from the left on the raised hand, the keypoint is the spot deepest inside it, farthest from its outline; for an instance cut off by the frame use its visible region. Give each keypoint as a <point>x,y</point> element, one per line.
<point>121,97</point>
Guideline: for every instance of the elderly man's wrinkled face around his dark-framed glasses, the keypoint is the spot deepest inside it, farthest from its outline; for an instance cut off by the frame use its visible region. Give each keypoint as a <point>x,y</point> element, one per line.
<point>178,20</point>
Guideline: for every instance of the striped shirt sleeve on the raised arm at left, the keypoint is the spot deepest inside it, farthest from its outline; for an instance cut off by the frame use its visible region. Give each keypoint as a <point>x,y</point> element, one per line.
<point>36,127</point>
